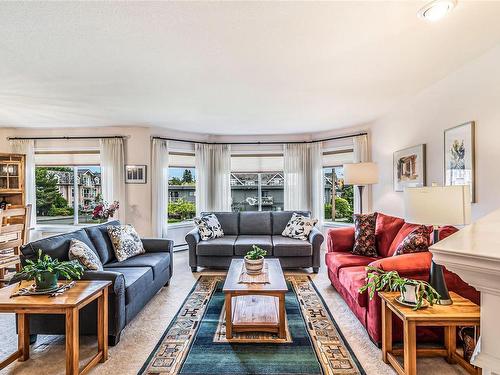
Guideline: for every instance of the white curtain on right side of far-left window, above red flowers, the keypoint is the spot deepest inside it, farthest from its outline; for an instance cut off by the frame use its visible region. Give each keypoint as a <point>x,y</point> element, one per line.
<point>113,173</point>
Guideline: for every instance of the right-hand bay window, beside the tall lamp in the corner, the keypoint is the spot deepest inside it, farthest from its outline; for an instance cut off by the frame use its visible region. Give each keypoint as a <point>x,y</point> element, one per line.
<point>339,198</point>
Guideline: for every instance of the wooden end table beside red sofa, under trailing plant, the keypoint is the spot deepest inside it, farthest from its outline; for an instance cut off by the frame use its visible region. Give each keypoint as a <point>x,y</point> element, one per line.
<point>461,313</point>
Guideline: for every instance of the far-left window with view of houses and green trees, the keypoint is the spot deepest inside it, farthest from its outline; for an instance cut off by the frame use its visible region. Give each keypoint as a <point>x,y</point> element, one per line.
<point>62,200</point>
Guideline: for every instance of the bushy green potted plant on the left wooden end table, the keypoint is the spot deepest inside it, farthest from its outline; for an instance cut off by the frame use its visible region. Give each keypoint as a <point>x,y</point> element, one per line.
<point>46,271</point>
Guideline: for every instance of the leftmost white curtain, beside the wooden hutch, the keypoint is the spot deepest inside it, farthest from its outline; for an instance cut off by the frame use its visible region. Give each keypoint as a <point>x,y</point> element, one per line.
<point>27,147</point>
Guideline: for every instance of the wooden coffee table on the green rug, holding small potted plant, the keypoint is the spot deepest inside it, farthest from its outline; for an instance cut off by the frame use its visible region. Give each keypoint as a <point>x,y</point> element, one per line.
<point>255,307</point>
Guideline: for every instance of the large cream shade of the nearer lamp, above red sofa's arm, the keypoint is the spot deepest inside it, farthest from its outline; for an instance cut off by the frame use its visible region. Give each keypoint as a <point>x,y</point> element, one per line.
<point>438,205</point>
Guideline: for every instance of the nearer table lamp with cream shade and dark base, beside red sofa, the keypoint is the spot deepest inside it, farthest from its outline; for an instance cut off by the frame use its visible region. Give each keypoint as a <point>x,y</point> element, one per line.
<point>437,206</point>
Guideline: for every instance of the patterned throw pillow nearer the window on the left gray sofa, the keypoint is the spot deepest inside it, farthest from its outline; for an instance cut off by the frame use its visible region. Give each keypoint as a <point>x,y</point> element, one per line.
<point>126,241</point>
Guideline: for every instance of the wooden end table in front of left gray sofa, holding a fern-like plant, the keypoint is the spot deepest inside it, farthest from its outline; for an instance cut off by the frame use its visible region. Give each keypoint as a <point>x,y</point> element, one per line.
<point>69,304</point>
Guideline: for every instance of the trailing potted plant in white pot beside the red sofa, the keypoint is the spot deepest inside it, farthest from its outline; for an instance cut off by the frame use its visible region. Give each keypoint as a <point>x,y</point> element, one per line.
<point>413,292</point>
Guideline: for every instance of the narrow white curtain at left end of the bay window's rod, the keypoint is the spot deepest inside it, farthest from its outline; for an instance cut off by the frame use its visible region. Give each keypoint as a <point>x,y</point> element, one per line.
<point>159,181</point>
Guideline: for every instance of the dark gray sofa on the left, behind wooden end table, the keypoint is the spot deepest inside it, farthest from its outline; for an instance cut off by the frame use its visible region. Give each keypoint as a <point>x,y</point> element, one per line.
<point>135,280</point>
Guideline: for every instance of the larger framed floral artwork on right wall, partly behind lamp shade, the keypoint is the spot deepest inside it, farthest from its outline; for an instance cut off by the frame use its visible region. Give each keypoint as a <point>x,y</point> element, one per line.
<point>459,156</point>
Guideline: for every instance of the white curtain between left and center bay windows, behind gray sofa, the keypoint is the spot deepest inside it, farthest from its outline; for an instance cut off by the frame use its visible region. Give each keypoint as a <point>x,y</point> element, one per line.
<point>213,181</point>
